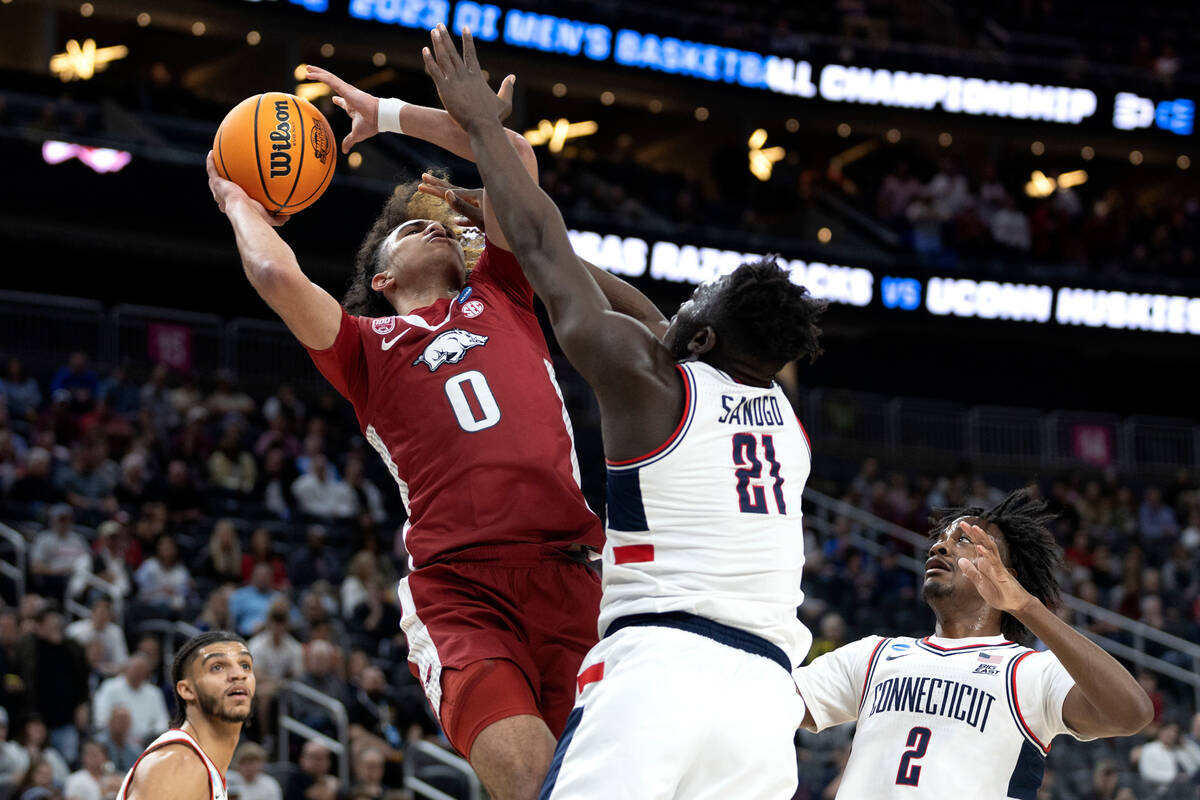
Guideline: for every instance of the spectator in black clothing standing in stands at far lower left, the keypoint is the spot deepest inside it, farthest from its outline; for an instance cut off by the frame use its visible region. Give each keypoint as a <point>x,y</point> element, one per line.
<point>55,673</point>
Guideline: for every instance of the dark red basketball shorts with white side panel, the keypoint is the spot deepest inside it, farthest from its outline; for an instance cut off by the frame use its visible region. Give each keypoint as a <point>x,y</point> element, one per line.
<point>529,606</point>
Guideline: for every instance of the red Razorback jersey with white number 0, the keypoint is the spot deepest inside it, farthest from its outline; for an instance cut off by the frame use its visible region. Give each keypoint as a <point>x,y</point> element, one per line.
<point>460,401</point>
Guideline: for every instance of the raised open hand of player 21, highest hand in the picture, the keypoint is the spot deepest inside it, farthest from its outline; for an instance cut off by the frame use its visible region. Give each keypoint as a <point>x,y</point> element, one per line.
<point>460,82</point>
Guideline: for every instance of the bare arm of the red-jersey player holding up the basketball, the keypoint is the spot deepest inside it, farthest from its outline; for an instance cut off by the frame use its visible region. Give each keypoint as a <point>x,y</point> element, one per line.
<point>308,310</point>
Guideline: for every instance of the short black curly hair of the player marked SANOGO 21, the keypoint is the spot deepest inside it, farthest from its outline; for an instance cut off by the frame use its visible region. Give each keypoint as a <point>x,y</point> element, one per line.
<point>770,317</point>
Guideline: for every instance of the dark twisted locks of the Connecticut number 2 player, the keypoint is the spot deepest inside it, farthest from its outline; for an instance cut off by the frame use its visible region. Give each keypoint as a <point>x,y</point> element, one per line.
<point>1033,551</point>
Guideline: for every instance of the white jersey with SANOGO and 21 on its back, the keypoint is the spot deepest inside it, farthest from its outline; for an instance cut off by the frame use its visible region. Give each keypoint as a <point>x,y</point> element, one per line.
<point>710,522</point>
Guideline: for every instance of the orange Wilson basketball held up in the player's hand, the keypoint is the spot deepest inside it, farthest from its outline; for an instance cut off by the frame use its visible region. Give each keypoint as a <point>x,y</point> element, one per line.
<point>278,148</point>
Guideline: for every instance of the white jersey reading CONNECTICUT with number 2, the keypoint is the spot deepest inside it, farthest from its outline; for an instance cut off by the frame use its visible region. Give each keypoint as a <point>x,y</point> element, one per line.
<point>940,718</point>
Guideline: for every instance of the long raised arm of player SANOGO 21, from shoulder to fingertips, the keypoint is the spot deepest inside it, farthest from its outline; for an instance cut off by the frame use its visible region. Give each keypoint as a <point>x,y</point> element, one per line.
<point>596,340</point>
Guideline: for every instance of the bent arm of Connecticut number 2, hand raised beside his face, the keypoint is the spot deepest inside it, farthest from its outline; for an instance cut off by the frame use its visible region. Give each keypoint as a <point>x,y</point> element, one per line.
<point>1106,701</point>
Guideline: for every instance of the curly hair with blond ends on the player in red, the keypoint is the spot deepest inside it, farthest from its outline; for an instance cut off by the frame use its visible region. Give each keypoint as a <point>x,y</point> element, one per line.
<point>405,203</point>
